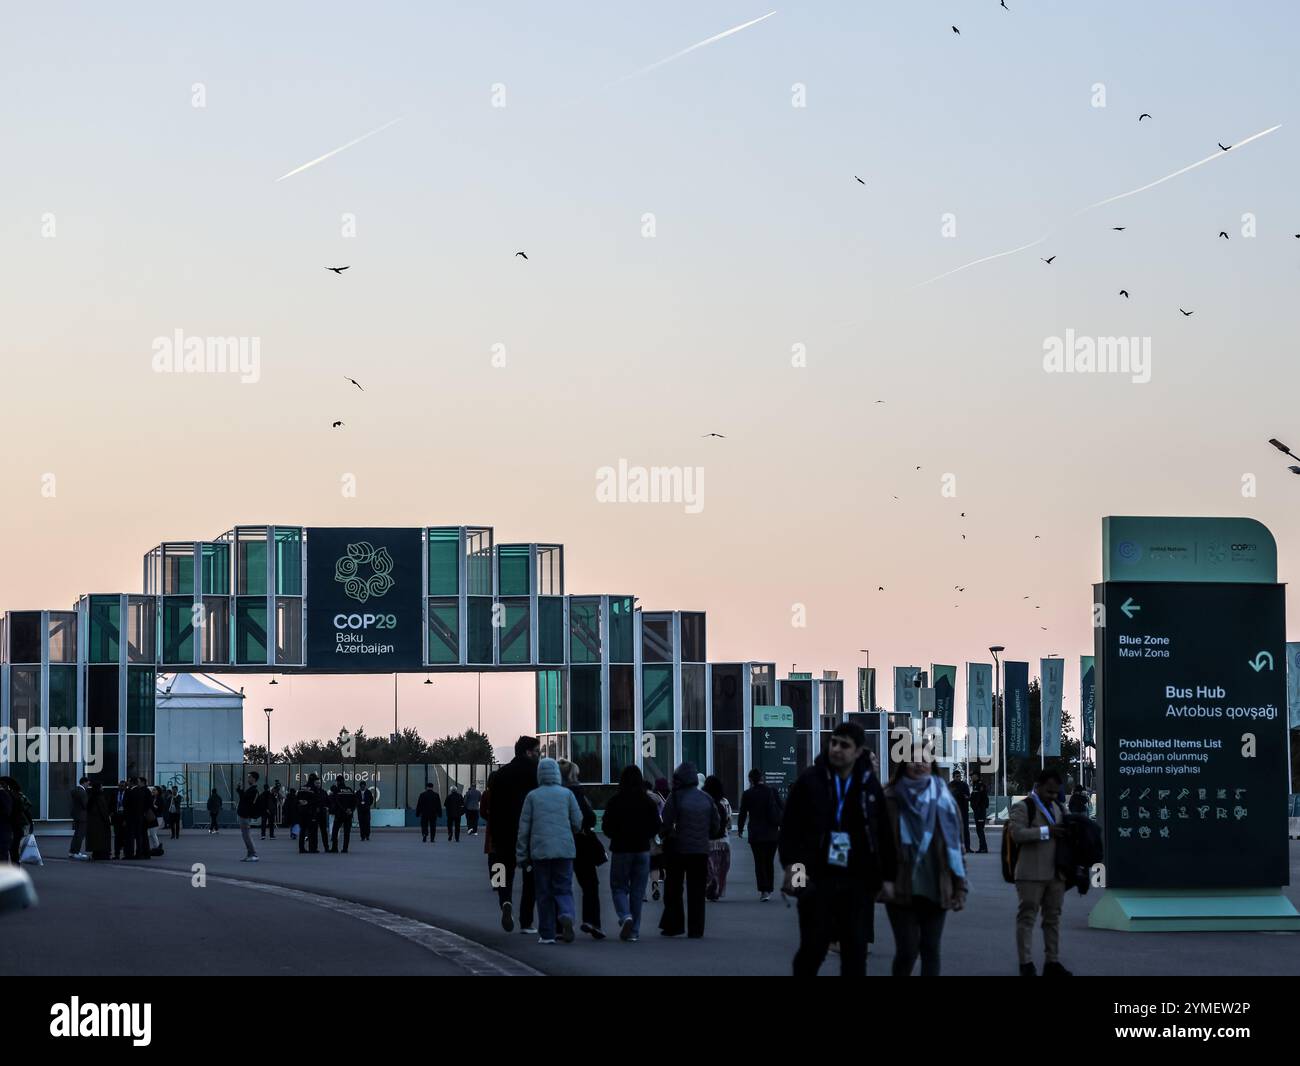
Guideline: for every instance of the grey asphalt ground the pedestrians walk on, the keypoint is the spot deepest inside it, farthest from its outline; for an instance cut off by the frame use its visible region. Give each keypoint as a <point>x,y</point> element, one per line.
<point>101,918</point>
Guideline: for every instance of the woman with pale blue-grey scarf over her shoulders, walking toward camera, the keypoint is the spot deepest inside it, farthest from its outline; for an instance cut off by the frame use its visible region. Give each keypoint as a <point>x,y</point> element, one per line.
<point>930,879</point>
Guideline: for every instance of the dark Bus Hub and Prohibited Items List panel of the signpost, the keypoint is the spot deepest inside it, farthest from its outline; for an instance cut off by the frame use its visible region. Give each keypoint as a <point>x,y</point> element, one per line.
<point>1193,734</point>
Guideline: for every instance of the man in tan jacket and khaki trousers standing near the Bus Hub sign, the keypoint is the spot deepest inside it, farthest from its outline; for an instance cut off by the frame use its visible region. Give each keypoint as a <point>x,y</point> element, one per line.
<point>1037,825</point>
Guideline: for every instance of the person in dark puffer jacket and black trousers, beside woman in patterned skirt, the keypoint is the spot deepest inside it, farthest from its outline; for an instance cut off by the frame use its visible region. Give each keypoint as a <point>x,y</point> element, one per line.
<point>691,821</point>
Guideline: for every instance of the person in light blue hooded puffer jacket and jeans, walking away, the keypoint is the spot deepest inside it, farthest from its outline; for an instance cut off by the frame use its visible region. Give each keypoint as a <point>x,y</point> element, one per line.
<point>548,826</point>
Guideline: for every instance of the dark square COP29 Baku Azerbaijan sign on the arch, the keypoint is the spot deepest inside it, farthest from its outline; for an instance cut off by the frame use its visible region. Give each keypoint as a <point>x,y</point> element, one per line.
<point>365,609</point>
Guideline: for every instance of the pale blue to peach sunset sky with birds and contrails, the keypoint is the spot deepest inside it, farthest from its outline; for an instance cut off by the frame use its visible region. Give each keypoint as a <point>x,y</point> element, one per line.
<point>127,214</point>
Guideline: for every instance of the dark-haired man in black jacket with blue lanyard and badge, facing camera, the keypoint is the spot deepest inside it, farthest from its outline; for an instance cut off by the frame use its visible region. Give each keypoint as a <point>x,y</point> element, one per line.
<point>837,848</point>
